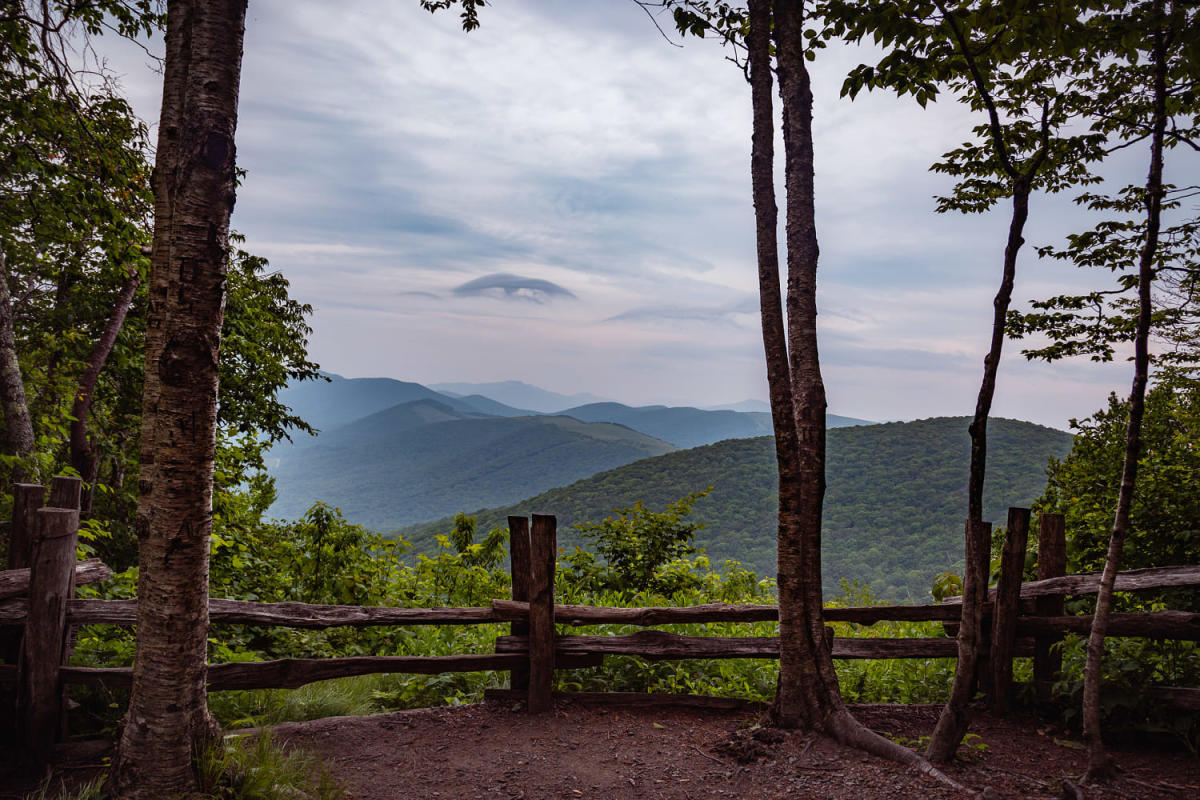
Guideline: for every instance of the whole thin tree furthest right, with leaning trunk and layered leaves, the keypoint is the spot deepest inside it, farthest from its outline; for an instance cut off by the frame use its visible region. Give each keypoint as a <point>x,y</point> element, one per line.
<point>1139,86</point>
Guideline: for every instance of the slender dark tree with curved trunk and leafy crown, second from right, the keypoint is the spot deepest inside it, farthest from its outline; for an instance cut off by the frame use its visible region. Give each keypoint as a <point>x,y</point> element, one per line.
<point>1006,62</point>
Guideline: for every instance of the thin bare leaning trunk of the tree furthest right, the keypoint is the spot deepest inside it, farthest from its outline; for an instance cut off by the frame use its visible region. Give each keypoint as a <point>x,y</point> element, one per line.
<point>1100,763</point>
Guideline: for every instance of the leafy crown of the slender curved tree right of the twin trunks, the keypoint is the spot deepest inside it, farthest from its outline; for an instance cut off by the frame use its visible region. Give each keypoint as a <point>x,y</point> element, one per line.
<point>1005,61</point>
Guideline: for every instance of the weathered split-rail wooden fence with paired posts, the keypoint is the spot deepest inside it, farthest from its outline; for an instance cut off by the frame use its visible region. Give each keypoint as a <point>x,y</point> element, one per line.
<point>39,613</point>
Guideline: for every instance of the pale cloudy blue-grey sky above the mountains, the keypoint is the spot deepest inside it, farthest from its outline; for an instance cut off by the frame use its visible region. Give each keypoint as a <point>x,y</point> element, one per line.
<point>562,197</point>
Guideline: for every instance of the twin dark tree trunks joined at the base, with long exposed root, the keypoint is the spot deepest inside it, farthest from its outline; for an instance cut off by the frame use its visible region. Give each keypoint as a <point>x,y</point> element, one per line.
<point>808,688</point>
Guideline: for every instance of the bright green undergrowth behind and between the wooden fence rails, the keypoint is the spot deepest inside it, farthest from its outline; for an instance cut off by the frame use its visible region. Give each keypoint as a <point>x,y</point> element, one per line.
<point>357,568</point>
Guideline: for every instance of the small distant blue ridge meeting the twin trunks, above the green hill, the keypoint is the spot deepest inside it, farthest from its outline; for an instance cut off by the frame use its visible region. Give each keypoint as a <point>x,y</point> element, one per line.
<point>687,428</point>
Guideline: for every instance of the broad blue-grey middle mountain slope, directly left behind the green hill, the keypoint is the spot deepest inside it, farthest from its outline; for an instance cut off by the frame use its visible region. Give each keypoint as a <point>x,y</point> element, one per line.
<point>424,460</point>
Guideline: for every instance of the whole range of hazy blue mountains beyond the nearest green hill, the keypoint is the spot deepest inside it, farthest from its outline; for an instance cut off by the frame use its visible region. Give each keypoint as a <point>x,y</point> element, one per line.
<point>394,453</point>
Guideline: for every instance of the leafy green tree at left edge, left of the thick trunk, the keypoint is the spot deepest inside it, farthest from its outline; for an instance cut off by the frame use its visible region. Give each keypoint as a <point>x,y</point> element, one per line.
<point>73,209</point>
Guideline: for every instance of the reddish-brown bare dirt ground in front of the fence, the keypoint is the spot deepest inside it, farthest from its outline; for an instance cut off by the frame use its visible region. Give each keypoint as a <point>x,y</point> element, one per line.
<point>623,754</point>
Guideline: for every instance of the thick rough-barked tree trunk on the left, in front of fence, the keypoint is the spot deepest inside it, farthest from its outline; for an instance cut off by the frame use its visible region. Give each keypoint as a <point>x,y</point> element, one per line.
<point>167,721</point>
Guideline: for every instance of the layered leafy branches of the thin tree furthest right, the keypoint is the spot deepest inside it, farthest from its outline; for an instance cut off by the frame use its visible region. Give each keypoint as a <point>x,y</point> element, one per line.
<point>1117,93</point>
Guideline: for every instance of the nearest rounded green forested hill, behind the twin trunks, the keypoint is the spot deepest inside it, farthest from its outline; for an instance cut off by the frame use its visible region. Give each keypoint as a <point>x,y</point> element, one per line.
<point>895,506</point>
